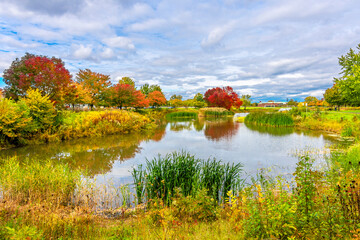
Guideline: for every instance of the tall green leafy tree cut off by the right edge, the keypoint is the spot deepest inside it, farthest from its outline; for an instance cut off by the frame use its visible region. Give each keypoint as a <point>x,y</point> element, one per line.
<point>349,82</point>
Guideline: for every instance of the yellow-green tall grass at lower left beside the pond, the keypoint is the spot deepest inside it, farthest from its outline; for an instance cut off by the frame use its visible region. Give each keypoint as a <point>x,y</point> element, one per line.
<point>36,182</point>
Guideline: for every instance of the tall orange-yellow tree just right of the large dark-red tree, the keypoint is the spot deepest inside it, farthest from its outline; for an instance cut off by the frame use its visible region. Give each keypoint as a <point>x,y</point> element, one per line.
<point>97,85</point>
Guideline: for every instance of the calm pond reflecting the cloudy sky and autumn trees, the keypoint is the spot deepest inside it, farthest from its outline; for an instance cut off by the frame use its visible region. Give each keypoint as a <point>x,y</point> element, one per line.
<point>112,157</point>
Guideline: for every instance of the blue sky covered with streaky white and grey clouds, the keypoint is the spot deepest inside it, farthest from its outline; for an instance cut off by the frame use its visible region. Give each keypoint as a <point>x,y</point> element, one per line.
<point>270,49</point>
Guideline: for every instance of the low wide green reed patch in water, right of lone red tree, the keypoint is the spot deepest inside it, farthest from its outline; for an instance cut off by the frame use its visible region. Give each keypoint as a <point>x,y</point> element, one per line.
<point>270,119</point>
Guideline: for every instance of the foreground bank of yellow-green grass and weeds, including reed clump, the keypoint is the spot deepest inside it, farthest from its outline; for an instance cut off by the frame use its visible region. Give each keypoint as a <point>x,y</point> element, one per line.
<point>51,201</point>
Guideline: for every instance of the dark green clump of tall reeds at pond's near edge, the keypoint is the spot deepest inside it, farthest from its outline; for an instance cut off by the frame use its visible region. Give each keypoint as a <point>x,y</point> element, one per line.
<point>180,170</point>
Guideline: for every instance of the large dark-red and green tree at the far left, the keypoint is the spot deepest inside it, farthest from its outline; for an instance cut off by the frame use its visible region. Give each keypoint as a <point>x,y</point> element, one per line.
<point>49,75</point>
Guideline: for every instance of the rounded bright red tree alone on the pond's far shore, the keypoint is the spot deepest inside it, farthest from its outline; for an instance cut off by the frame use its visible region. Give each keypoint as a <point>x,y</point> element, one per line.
<point>222,97</point>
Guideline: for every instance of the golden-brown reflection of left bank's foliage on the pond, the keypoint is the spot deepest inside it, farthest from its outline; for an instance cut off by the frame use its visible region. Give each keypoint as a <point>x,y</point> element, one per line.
<point>97,155</point>
